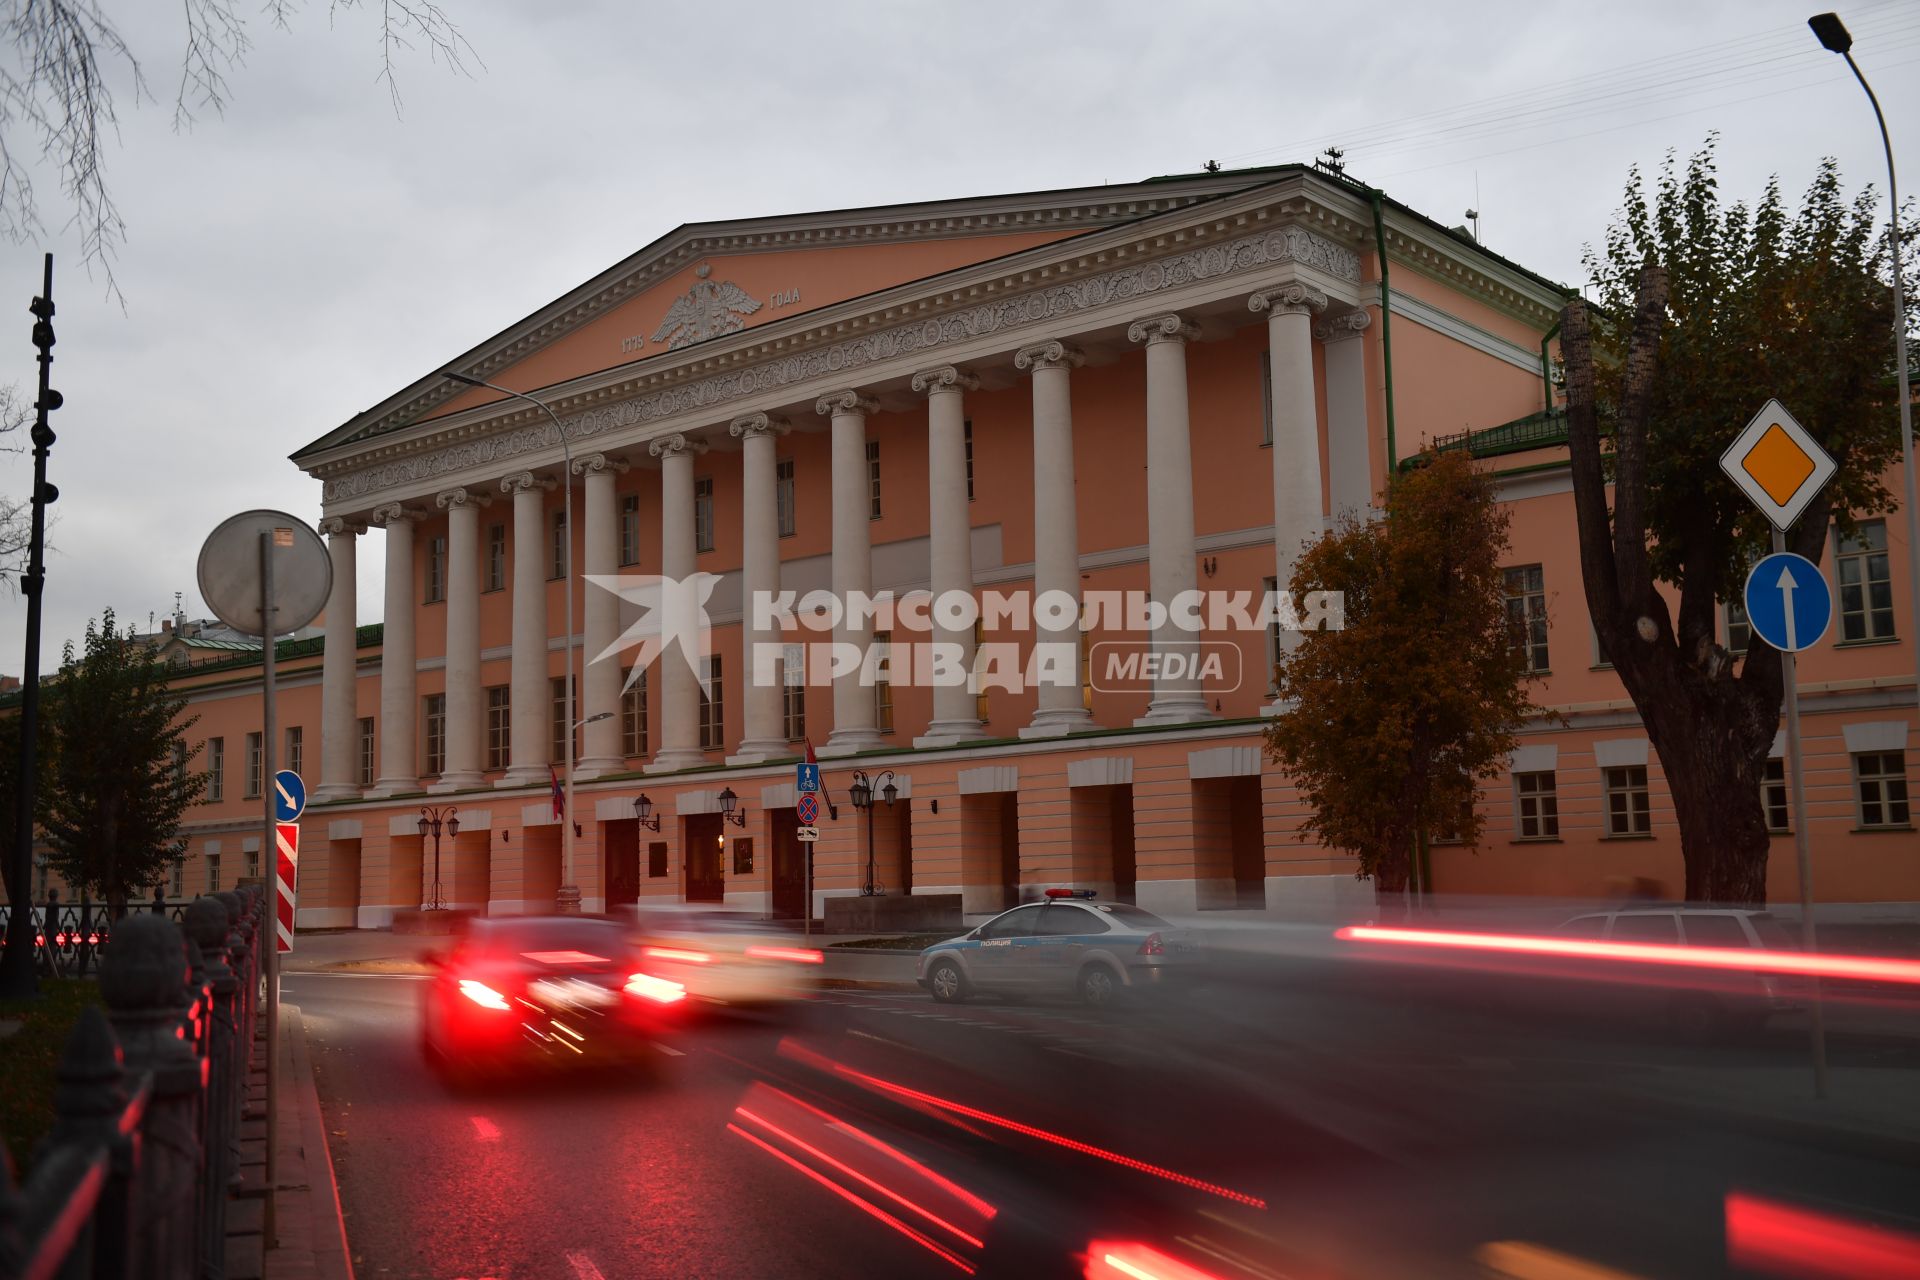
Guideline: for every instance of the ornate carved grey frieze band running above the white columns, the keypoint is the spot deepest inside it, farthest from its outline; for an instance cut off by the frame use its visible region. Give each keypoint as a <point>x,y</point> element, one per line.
<point>1040,308</point>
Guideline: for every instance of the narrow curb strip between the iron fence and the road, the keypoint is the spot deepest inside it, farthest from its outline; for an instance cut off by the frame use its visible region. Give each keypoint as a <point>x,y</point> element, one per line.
<point>312,1233</point>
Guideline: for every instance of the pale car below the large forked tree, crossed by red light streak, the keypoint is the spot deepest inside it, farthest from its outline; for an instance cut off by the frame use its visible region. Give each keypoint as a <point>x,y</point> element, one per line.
<point>1714,1003</point>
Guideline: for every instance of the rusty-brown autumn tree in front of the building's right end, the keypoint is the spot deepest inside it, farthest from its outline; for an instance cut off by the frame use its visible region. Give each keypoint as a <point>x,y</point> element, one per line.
<point>1401,715</point>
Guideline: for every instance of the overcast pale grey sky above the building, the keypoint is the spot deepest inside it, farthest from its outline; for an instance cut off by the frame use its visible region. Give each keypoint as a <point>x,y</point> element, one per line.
<point>306,256</point>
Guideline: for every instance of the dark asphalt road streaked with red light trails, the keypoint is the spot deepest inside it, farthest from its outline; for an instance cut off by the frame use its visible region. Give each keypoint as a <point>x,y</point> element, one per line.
<point>1303,1118</point>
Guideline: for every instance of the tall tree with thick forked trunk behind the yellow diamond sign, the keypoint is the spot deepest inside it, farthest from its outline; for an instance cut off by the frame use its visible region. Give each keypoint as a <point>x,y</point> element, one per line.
<point>1716,310</point>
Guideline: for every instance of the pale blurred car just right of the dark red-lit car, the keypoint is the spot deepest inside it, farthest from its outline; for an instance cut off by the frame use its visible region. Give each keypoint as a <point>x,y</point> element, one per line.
<point>725,957</point>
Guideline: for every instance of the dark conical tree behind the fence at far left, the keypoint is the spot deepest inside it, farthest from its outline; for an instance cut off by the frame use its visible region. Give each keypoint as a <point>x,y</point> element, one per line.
<point>116,770</point>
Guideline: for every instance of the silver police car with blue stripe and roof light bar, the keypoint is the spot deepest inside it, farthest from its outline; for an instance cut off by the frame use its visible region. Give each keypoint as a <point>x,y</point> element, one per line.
<point>1067,945</point>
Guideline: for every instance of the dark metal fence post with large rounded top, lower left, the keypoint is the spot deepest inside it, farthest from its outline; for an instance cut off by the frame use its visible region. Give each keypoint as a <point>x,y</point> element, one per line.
<point>143,980</point>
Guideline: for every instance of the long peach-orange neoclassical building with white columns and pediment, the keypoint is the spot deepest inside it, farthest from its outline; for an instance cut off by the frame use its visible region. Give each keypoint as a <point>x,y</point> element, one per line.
<point>1088,396</point>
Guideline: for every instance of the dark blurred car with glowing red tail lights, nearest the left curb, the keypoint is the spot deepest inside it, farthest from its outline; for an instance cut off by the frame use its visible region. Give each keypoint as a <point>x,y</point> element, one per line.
<point>525,989</point>
